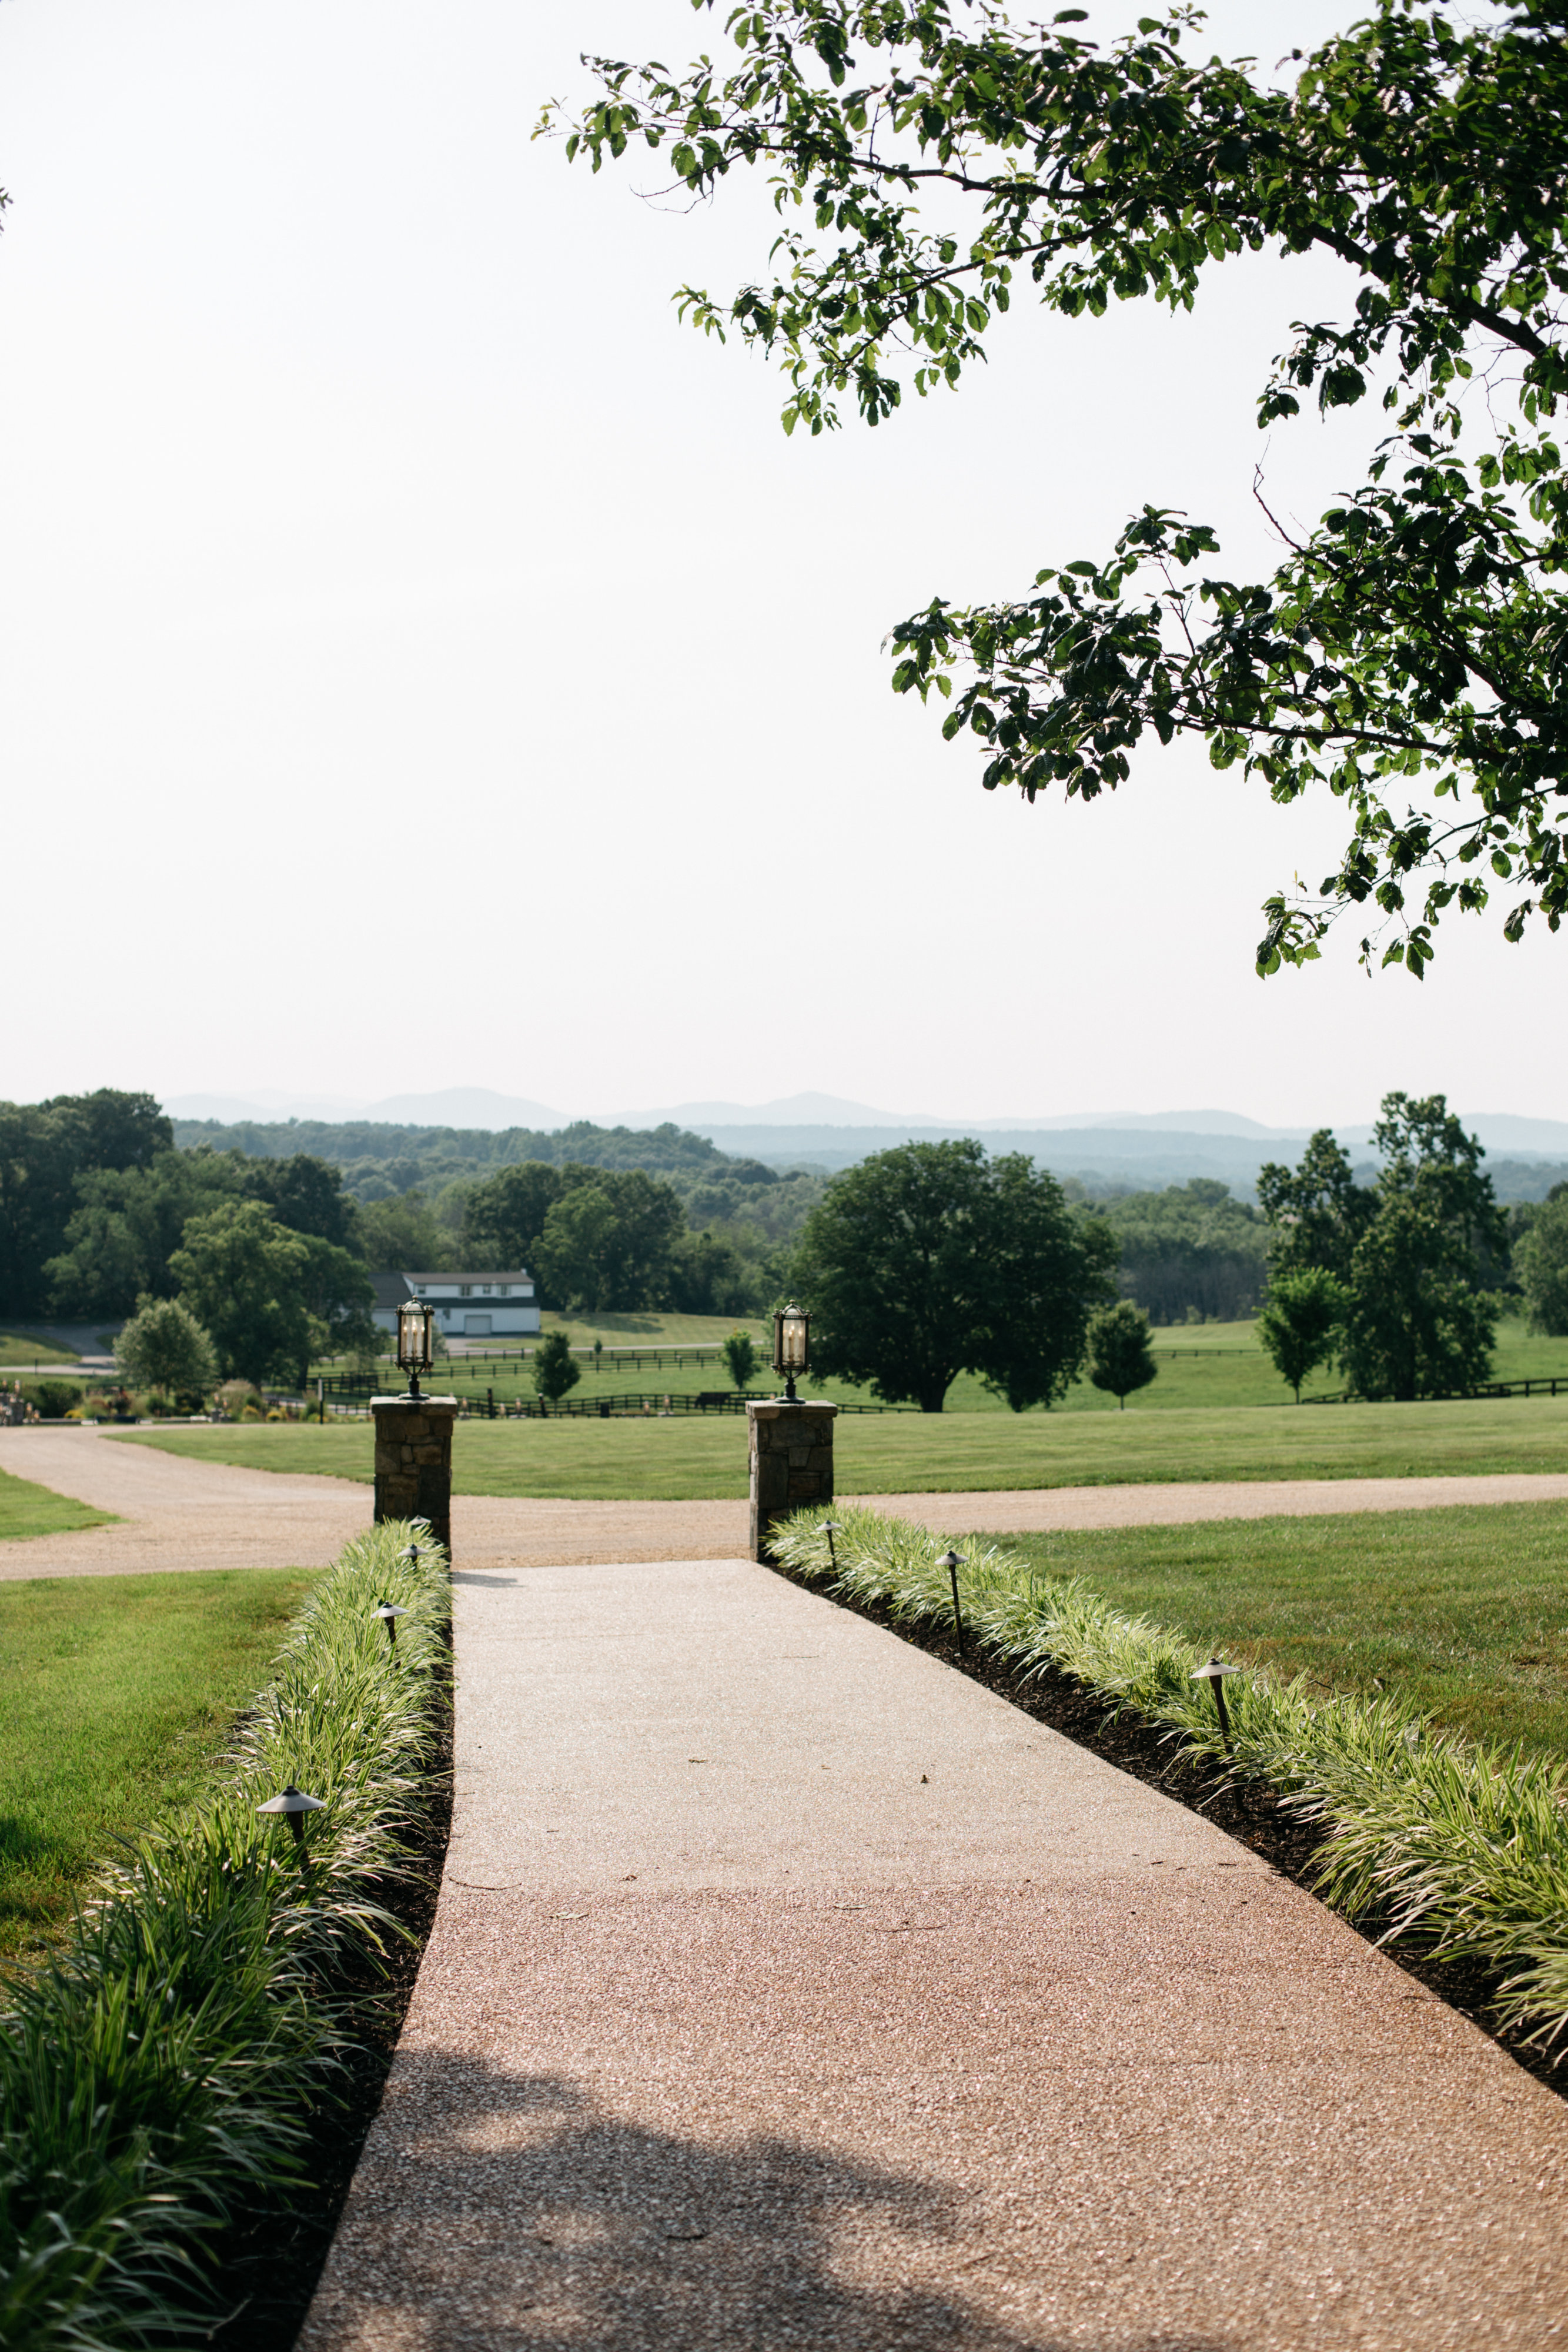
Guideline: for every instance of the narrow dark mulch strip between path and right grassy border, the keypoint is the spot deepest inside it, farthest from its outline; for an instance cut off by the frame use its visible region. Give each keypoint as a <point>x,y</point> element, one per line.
<point>1249,1815</point>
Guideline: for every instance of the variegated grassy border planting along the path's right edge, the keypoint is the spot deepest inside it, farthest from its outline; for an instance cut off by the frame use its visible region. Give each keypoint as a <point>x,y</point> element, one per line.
<point>1454,1847</point>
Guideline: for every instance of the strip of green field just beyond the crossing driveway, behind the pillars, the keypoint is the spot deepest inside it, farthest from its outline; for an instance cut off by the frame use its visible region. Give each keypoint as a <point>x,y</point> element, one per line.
<point>951,1452</point>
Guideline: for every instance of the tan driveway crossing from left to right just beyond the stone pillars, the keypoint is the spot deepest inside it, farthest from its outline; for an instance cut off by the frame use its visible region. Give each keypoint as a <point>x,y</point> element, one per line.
<point>185,1514</point>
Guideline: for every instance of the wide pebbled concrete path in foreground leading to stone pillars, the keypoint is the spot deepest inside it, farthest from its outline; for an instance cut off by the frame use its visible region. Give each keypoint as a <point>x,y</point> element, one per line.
<point>789,1991</point>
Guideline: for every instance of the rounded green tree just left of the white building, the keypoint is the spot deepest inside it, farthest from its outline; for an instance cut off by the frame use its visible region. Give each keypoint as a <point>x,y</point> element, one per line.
<point>246,1278</point>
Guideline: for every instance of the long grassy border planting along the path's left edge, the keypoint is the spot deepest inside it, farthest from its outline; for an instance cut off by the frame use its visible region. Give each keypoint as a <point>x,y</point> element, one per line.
<point>168,2080</point>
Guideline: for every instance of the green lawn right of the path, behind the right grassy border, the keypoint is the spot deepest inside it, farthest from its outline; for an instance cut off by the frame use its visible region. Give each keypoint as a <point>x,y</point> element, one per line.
<point>1463,1610</point>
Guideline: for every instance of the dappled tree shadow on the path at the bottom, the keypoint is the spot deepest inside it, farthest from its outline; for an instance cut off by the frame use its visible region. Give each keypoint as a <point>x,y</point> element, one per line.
<point>516,2214</point>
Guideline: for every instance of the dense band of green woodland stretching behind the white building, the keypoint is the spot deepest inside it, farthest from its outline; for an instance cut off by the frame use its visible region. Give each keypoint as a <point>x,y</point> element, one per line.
<point>98,1194</point>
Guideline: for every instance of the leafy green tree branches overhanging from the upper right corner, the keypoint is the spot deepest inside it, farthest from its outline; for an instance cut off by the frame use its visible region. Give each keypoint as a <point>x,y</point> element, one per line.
<point>1409,653</point>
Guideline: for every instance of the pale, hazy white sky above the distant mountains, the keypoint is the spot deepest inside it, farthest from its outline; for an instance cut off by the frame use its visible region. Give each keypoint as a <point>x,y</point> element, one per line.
<point>427,662</point>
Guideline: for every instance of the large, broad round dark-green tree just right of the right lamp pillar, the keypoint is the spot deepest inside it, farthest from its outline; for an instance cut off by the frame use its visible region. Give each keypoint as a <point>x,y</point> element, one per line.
<point>932,1259</point>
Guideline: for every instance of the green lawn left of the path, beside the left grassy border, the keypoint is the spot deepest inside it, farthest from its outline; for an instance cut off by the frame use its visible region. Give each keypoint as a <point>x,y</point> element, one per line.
<point>114,1695</point>
